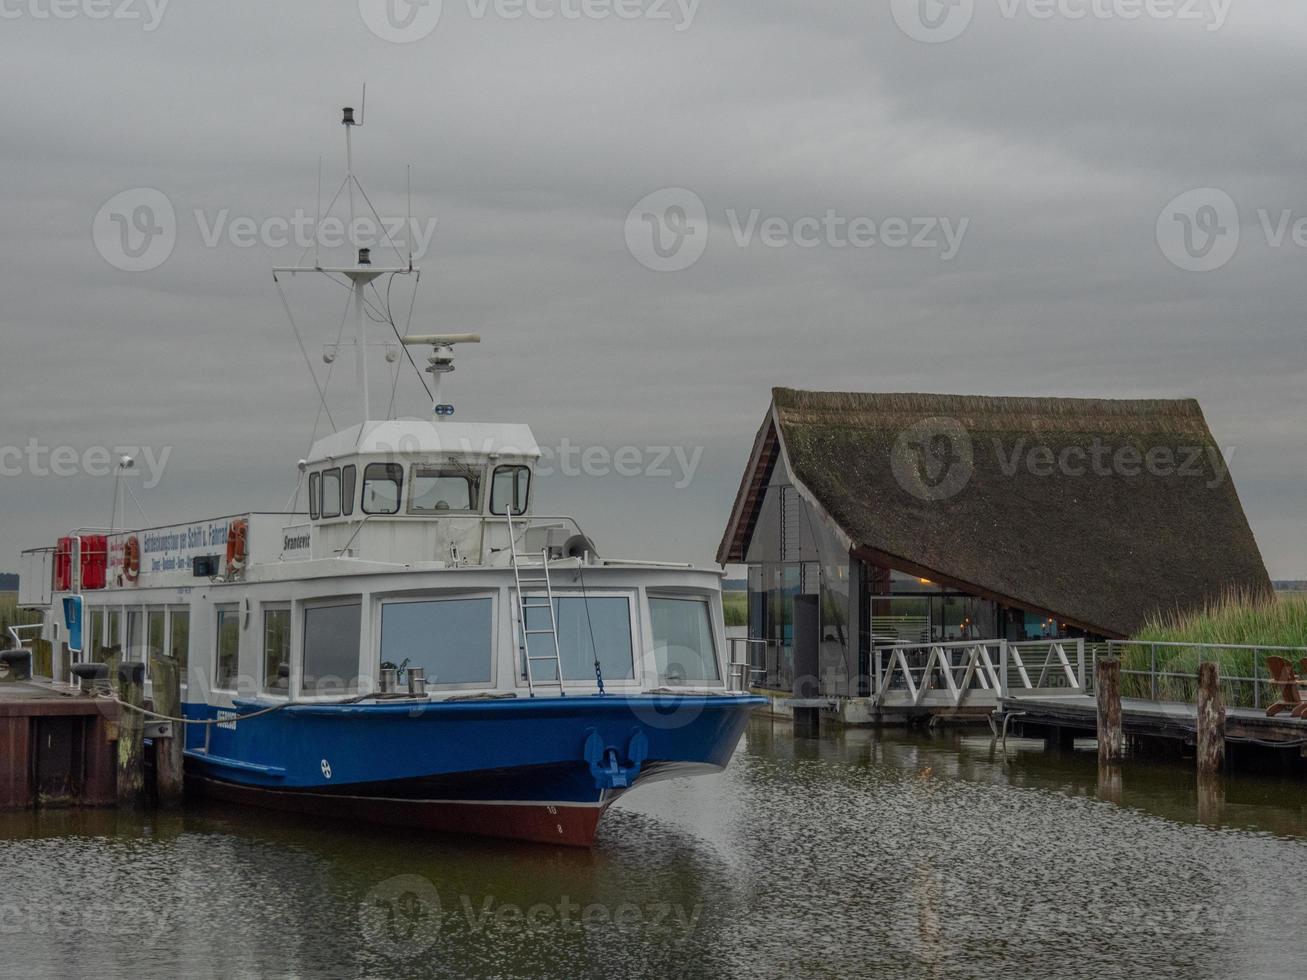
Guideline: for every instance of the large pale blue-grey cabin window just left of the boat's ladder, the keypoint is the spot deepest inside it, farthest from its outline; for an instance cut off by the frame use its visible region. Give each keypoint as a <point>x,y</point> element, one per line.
<point>450,638</point>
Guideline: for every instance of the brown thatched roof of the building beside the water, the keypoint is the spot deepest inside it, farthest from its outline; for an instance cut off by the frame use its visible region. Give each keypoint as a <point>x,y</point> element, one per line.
<point>1101,513</point>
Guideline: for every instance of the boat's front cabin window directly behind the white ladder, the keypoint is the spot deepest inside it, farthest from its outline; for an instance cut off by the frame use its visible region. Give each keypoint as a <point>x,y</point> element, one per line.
<point>584,624</point>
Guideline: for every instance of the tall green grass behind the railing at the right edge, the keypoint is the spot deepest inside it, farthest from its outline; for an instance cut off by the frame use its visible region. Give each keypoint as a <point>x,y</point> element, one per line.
<point>1237,620</point>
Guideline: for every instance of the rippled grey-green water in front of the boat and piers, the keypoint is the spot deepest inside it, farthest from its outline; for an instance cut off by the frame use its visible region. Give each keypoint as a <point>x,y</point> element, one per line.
<point>852,855</point>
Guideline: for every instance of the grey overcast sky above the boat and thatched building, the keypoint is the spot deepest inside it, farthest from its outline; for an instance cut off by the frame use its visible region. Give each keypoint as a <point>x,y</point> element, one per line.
<point>1034,156</point>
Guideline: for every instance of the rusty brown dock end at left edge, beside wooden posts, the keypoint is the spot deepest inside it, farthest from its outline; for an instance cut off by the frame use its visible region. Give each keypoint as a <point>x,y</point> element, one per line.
<point>58,747</point>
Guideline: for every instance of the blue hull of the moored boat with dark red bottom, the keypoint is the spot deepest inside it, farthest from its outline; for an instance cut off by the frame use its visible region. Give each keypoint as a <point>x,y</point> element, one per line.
<point>542,769</point>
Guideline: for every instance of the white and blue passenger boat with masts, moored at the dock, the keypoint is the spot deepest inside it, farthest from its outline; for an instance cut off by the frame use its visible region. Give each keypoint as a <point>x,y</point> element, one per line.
<point>414,644</point>
